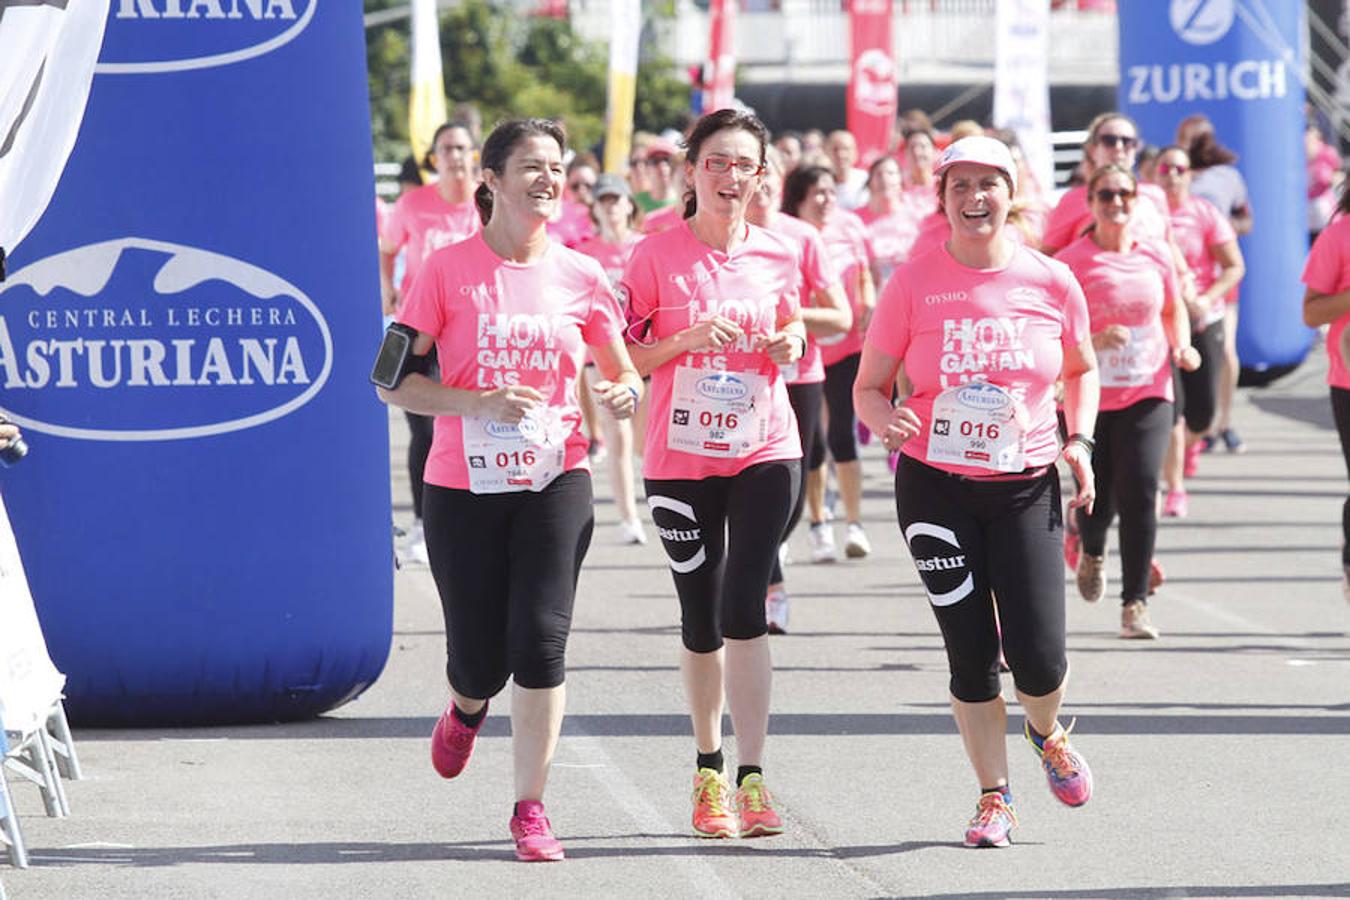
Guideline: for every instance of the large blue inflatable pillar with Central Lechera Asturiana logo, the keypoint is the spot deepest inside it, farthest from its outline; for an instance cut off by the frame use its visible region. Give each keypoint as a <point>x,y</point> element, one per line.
<point>186,337</point>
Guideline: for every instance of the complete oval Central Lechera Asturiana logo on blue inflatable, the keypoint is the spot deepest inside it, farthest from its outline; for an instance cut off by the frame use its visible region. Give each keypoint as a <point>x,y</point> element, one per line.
<point>136,339</point>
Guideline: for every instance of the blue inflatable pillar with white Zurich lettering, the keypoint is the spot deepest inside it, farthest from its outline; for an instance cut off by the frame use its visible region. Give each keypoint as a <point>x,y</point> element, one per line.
<point>1240,63</point>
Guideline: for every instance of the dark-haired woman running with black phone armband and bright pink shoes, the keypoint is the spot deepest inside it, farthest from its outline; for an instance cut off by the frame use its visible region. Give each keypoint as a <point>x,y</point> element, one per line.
<point>508,495</point>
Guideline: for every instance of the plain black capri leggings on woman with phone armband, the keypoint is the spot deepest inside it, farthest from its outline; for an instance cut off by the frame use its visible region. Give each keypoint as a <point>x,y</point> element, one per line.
<point>506,567</point>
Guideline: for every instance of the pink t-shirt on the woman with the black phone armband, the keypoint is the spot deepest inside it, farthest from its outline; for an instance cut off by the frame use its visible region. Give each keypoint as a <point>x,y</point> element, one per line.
<point>500,323</point>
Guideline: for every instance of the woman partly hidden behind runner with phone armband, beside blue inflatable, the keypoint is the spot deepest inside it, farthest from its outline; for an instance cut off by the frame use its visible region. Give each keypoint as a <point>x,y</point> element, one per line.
<point>425,221</point>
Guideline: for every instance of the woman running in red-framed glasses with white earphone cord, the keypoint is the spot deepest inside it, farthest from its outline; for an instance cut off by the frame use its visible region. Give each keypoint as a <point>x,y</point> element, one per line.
<point>715,318</point>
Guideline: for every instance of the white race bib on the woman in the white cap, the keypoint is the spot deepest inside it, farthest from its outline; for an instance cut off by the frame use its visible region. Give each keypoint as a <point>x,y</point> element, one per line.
<point>981,426</point>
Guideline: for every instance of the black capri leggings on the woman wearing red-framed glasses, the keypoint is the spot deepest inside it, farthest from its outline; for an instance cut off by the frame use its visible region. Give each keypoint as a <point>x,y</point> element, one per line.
<point>722,536</point>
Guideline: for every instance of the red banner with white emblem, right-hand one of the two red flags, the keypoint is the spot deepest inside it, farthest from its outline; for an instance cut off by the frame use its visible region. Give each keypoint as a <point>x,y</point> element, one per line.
<point>871,86</point>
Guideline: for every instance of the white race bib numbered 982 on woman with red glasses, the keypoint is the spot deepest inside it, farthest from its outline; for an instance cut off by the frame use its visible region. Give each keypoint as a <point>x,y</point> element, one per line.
<point>719,414</point>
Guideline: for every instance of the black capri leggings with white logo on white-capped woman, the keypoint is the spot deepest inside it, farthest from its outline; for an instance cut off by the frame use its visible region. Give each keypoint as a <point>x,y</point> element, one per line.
<point>978,540</point>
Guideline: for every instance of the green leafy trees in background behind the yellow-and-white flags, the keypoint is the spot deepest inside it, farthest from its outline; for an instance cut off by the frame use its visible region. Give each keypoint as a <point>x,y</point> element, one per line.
<point>511,65</point>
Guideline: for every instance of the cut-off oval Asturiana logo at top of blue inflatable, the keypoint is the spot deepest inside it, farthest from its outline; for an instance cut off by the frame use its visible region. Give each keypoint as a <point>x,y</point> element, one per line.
<point>198,34</point>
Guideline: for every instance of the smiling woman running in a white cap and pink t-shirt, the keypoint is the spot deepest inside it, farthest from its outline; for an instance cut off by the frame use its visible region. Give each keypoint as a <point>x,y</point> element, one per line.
<point>985,329</point>
